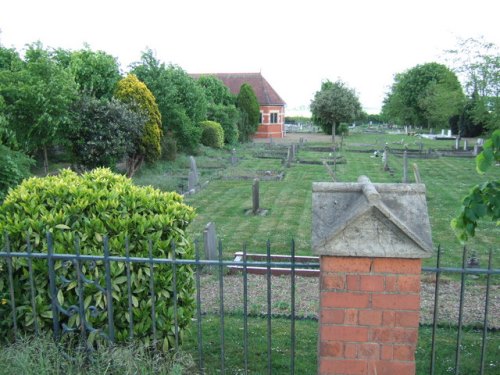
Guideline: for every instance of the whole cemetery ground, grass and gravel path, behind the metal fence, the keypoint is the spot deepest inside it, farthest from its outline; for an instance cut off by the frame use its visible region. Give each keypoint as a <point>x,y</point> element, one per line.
<point>225,196</point>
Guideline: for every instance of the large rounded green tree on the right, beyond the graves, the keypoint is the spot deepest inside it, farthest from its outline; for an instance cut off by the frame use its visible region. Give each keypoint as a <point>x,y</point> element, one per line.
<point>425,95</point>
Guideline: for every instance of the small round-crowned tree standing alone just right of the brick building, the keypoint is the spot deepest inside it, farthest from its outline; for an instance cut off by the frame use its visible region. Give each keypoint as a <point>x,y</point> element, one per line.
<point>333,104</point>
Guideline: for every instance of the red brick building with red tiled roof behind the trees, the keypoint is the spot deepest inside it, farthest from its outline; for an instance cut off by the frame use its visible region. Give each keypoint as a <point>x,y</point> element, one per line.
<point>272,107</point>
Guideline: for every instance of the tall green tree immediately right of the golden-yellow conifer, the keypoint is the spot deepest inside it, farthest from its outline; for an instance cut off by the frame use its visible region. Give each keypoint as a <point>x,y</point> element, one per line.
<point>181,101</point>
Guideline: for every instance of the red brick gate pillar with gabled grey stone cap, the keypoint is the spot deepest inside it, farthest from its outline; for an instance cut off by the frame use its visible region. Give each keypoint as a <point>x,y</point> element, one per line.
<point>370,238</point>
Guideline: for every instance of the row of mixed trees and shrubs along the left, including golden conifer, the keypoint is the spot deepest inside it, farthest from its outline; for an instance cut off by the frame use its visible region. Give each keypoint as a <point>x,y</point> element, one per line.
<point>79,101</point>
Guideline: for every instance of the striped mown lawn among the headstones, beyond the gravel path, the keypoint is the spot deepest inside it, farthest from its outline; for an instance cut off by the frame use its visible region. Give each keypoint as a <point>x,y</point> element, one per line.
<point>225,201</point>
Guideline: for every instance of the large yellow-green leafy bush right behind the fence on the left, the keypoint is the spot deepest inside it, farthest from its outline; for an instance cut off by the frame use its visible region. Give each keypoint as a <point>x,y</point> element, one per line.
<point>89,207</point>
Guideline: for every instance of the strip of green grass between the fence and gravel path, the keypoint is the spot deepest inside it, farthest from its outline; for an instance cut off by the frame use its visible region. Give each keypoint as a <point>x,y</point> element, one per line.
<point>306,347</point>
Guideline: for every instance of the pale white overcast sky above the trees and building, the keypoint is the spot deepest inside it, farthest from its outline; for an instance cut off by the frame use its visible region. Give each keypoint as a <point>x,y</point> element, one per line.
<point>296,45</point>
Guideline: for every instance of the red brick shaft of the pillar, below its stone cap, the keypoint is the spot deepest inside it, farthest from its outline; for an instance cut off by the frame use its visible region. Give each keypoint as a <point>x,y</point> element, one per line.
<point>369,314</point>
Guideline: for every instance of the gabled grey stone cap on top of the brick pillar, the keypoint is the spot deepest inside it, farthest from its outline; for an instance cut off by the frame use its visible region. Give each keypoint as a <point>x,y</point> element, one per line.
<point>367,219</point>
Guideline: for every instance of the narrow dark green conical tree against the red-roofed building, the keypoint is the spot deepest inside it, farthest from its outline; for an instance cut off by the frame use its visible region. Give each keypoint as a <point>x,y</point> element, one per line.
<point>248,104</point>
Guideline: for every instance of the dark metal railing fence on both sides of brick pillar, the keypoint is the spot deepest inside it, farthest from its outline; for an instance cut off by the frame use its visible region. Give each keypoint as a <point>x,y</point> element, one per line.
<point>218,267</point>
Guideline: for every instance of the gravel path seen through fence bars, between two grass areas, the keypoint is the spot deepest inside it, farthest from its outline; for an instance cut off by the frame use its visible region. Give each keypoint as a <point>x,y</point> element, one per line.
<point>307,291</point>
